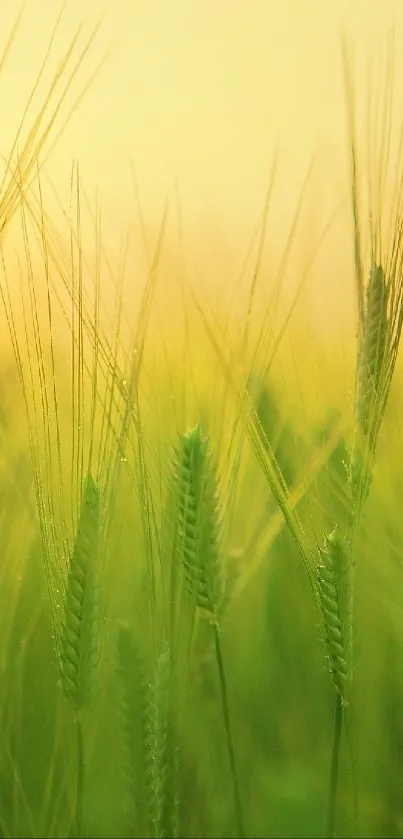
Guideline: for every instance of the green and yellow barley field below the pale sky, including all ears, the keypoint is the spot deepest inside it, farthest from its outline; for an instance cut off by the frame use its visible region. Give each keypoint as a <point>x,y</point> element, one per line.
<point>201,577</point>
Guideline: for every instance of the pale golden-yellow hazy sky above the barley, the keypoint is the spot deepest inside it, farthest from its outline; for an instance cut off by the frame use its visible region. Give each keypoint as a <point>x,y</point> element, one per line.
<point>201,93</point>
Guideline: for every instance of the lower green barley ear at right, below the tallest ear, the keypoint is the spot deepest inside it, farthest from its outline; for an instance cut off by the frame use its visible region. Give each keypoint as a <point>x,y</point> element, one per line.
<point>335,579</point>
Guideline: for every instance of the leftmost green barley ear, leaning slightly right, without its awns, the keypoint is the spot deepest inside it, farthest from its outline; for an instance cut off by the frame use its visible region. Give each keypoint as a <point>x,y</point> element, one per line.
<point>80,630</point>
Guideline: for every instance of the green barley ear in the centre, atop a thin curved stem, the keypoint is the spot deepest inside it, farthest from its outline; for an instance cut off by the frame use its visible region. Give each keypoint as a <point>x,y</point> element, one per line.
<point>199,522</point>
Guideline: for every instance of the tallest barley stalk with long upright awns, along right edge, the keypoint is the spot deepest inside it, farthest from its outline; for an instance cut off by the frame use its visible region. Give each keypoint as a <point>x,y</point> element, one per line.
<point>380,320</point>
